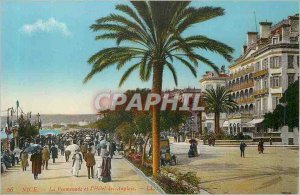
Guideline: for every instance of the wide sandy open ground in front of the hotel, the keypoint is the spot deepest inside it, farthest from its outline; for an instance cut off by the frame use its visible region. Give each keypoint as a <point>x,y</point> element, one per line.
<point>222,170</point>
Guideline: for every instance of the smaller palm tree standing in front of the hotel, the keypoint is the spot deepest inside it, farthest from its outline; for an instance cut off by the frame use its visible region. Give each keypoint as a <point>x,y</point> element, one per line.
<point>219,101</point>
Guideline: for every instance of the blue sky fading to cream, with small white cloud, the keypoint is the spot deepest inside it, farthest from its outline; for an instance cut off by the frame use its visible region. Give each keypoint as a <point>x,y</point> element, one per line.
<point>45,46</point>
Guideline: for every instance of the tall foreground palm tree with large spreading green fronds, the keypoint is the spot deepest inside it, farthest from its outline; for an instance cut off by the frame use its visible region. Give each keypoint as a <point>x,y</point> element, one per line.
<point>151,34</point>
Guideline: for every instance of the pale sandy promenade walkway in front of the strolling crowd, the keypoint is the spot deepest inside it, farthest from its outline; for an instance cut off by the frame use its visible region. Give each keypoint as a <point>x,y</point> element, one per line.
<point>58,179</point>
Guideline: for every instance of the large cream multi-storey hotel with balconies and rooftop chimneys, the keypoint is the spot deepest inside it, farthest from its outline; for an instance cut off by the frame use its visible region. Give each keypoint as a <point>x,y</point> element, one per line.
<point>269,63</point>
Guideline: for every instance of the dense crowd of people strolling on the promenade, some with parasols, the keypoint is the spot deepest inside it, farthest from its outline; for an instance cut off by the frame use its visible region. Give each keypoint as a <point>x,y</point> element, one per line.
<point>78,147</point>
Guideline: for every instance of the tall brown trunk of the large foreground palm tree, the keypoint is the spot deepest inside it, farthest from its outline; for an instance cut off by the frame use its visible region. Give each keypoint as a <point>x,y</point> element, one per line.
<point>156,89</point>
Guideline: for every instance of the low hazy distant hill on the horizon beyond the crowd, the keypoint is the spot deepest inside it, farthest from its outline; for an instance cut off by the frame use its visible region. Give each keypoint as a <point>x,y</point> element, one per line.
<point>59,118</point>
